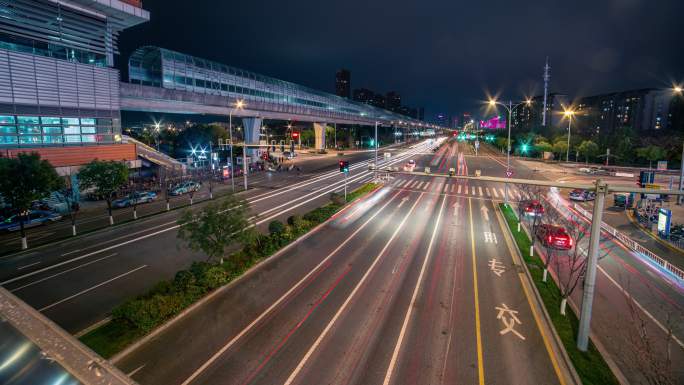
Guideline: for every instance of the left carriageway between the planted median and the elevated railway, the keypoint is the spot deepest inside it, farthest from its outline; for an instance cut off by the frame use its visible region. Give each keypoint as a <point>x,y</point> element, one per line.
<point>77,282</point>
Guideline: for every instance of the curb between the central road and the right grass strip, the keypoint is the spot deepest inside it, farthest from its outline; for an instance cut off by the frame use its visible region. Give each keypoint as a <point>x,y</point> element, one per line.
<point>559,349</point>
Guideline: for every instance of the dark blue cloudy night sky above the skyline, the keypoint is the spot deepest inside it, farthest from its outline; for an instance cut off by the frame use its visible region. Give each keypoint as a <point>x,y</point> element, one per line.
<point>444,55</point>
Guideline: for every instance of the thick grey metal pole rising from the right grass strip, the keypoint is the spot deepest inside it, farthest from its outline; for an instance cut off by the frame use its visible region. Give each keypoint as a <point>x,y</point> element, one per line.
<point>592,262</point>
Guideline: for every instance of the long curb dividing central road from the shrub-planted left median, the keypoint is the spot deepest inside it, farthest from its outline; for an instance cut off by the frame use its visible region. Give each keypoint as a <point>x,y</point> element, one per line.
<point>131,348</point>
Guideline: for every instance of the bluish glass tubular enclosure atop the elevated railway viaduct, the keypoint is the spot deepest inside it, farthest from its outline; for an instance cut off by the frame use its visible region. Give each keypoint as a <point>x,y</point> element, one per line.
<point>159,67</point>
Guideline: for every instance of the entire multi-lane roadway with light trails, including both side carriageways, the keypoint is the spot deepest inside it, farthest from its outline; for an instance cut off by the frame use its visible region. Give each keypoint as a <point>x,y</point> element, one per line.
<point>418,283</point>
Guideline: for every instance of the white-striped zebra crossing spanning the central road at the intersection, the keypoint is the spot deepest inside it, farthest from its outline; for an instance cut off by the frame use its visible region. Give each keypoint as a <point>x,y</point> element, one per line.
<point>455,187</point>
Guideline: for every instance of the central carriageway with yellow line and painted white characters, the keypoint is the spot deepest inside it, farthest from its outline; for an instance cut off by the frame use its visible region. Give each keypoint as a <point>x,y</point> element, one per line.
<point>415,284</point>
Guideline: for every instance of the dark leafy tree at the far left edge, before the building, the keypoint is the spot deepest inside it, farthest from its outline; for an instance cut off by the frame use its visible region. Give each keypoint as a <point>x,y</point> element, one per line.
<point>25,179</point>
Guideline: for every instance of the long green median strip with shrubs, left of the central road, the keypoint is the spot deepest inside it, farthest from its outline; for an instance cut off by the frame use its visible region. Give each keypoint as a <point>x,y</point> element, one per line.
<point>138,316</point>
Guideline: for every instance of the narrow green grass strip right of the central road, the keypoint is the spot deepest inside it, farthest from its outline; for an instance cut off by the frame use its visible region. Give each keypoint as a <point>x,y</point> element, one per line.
<point>590,365</point>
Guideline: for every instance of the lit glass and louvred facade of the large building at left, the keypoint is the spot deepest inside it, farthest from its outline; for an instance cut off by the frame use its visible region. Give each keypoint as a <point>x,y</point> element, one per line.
<point>57,86</point>
